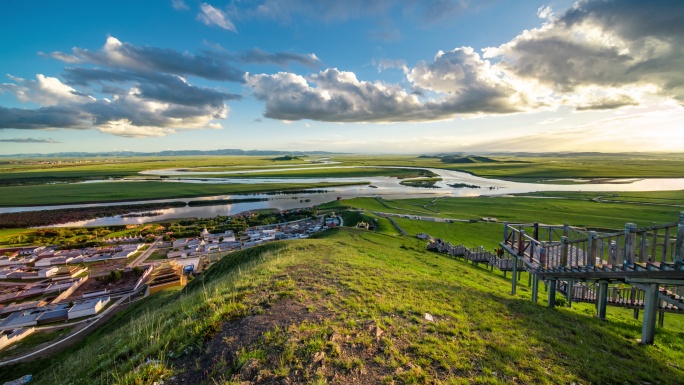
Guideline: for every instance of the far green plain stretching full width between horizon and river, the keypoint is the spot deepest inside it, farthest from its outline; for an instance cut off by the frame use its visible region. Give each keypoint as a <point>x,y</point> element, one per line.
<point>508,167</point>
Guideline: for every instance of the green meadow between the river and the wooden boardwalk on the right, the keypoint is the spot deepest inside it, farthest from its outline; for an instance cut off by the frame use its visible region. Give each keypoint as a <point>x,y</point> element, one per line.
<point>522,210</point>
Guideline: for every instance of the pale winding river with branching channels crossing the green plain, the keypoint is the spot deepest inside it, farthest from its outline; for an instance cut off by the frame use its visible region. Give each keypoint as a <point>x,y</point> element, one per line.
<point>385,187</point>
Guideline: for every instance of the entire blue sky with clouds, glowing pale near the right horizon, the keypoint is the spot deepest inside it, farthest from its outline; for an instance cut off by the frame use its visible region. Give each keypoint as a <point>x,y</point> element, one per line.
<point>402,76</point>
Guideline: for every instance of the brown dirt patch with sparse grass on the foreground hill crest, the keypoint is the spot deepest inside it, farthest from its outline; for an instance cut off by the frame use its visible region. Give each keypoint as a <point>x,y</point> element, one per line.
<point>290,339</point>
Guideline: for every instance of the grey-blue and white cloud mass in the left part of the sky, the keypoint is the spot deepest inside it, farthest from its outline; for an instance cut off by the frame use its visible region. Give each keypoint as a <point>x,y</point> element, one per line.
<point>147,92</point>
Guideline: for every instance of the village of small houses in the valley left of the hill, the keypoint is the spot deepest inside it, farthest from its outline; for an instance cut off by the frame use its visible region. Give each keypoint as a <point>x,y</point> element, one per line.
<point>46,287</point>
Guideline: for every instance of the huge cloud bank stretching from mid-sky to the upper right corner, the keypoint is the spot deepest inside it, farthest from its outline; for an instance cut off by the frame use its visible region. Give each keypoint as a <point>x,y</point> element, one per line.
<point>598,55</point>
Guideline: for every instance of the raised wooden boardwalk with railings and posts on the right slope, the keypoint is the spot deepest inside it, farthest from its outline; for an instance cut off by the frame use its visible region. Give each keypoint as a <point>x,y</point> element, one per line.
<point>650,260</point>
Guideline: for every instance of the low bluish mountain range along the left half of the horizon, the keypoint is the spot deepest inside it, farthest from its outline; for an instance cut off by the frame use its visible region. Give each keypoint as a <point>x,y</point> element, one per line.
<point>124,154</point>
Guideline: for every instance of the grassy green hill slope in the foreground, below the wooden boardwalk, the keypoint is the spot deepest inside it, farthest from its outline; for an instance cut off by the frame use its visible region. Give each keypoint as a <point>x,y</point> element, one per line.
<point>349,307</point>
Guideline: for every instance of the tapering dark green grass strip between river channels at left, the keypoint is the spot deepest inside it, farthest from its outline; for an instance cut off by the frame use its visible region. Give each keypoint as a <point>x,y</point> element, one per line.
<point>130,191</point>
